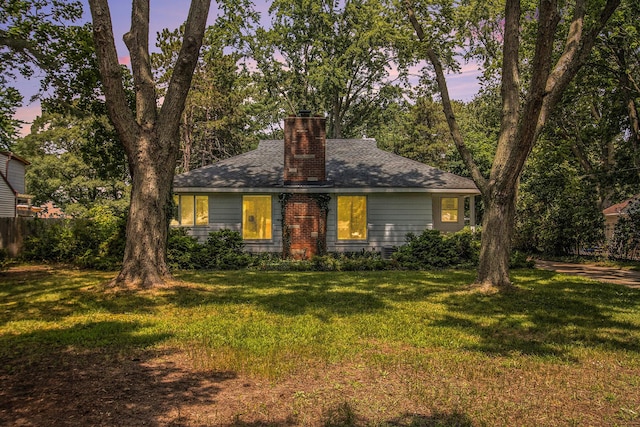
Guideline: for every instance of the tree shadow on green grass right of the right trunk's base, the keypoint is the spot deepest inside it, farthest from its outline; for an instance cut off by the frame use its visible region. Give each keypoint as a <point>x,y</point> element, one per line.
<point>549,315</point>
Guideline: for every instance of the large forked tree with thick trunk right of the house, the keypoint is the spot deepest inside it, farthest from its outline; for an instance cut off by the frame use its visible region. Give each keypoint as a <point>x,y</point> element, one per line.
<point>542,78</point>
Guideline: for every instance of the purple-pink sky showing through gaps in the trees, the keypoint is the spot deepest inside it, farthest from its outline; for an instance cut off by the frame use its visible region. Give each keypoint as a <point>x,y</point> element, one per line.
<point>171,14</point>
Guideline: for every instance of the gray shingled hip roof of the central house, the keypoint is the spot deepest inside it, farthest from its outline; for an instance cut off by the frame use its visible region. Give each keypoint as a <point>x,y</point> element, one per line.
<point>351,163</point>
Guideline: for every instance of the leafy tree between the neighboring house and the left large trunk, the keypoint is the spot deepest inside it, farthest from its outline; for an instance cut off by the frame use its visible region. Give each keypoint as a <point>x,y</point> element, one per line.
<point>77,162</point>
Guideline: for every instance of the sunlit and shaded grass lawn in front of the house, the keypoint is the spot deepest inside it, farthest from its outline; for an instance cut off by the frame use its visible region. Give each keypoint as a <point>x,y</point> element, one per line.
<point>398,348</point>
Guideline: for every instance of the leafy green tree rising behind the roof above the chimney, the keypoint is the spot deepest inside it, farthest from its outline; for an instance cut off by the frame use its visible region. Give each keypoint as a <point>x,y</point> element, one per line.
<point>328,56</point>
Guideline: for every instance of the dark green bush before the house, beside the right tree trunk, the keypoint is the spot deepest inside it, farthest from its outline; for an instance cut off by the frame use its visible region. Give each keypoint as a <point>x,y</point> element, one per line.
<point>433,249</point>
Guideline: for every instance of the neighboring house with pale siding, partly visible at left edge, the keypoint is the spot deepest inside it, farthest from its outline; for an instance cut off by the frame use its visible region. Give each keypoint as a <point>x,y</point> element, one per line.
<point>13,200</point>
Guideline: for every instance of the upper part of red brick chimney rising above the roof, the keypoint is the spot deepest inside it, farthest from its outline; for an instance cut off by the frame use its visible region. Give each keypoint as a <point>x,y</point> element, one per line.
<point>304,149</point>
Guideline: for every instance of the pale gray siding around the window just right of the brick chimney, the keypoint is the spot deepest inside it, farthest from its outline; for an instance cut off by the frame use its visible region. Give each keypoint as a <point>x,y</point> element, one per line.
<point>390,216</point>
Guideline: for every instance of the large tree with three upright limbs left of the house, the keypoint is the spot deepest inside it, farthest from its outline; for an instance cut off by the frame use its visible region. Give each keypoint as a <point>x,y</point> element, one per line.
<point>150,137</point>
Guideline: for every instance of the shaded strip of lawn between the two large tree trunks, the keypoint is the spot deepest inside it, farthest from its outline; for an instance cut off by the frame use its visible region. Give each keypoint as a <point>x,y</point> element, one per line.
<point>321,293</point>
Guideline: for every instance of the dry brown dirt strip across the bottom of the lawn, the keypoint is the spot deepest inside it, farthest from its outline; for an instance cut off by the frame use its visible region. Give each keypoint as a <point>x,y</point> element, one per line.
<point>161,388</point>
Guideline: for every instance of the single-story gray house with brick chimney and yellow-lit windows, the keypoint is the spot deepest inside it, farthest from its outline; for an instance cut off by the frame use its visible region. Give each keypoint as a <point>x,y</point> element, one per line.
<point>308,195</point>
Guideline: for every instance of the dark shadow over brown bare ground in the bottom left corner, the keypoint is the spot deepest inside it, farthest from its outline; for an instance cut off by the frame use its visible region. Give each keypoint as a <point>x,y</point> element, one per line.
<point>82,388</point>
